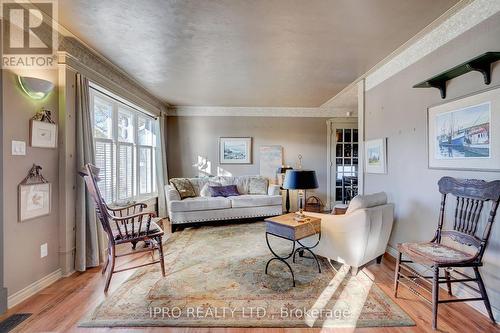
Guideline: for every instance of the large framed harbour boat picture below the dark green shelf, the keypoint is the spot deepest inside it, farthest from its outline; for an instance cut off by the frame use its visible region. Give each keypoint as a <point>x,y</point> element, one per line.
<point>463,133</point>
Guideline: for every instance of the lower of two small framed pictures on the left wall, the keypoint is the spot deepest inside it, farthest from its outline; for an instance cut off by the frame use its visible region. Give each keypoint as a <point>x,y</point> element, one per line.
<point>34,200</point>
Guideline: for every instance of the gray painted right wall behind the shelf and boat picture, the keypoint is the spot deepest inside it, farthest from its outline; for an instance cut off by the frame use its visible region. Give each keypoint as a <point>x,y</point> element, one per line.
<point>396,110</point>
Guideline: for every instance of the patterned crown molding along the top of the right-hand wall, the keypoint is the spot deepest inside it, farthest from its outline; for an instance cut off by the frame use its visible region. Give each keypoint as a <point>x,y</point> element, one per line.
<point>468,14</point>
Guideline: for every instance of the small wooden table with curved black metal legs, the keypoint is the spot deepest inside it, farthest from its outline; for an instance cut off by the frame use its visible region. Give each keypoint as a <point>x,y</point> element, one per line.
<point>285,226</point>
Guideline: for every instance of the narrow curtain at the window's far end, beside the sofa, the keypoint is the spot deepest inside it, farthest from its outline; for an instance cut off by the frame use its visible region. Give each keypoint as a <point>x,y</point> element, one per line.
<point>161,164</point>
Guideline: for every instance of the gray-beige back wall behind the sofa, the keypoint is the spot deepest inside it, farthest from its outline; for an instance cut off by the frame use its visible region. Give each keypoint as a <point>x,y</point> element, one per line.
<point>190,137</point>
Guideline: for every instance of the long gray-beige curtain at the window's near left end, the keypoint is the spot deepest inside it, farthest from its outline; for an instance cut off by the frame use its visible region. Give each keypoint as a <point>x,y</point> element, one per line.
<point>89,237</point>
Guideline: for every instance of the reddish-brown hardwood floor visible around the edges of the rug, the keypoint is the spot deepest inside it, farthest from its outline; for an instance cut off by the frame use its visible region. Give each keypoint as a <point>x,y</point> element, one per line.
<point>61,306</point>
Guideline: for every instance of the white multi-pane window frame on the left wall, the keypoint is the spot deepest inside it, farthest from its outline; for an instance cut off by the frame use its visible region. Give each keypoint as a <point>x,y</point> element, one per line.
<point>117,104</point>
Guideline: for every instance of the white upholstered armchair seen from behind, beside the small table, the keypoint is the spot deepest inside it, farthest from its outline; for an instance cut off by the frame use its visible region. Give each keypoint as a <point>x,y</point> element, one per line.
<point>360,235</point>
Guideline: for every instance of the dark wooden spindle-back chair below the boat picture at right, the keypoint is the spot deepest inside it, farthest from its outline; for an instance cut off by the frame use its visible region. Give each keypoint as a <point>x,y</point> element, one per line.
<point>460,247</point>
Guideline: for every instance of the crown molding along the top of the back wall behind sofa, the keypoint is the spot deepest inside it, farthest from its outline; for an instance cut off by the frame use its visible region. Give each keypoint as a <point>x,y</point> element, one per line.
<point>215,111</point>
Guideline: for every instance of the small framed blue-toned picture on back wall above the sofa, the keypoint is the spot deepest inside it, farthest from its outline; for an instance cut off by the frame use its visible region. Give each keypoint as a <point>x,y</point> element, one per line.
<point>235,150</point>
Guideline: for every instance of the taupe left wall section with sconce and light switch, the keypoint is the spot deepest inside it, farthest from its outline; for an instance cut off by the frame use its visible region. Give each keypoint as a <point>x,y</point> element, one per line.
<point>22,240</point>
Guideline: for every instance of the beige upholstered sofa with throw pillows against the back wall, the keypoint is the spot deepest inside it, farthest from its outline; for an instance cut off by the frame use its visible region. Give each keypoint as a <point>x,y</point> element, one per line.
<point>204,208</point>
